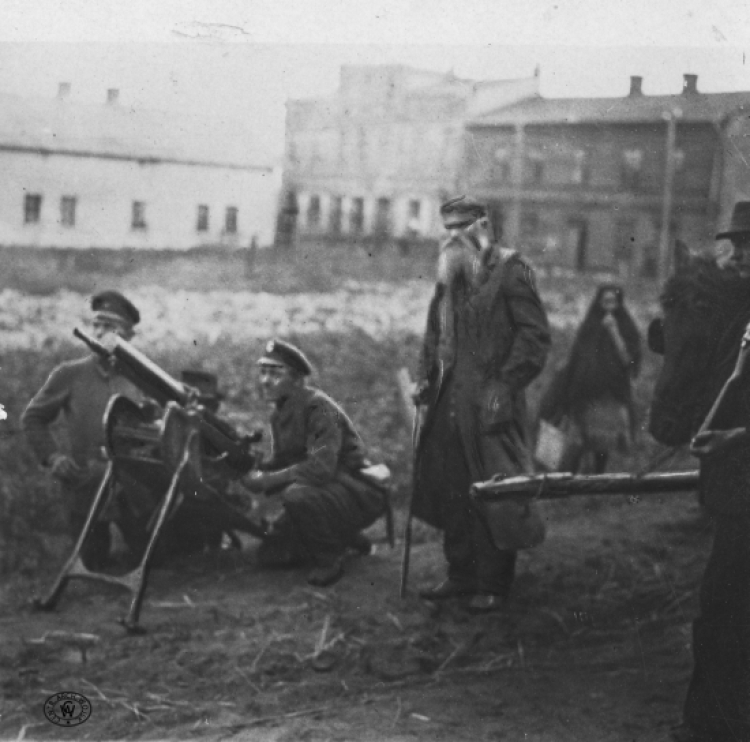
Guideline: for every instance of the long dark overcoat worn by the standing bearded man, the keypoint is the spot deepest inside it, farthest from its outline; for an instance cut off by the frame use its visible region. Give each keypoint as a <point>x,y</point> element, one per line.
<point>501,343</point>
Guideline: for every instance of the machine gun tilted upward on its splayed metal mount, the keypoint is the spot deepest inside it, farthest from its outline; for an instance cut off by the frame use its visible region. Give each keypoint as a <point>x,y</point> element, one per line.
<point>182,458</point>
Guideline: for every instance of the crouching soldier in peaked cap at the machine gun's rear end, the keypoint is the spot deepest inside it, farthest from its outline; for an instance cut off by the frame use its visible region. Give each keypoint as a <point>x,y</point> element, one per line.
<point>317,467</point>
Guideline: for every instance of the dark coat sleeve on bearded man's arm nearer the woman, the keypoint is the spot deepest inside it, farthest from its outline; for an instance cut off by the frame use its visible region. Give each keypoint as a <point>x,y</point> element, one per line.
<point>531,341</point>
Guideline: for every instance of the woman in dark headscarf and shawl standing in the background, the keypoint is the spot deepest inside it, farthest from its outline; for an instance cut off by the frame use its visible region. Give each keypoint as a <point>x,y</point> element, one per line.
<point>593,390</point>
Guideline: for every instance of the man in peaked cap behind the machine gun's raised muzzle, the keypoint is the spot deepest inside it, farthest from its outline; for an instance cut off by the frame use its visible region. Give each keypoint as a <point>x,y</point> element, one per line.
<point>79,392</point>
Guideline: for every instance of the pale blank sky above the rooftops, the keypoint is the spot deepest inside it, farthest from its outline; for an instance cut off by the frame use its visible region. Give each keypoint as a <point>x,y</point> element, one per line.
<point>242,59</point>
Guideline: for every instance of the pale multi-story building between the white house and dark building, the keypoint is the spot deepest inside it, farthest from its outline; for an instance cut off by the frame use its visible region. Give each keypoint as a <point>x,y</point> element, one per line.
<point>380,156</point>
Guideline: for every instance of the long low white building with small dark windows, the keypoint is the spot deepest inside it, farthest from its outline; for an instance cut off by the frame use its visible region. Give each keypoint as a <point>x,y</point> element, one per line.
<point>110,176</point>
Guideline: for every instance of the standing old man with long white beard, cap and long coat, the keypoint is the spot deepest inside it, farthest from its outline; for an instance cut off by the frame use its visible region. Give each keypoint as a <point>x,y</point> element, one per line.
<point>487,338</point>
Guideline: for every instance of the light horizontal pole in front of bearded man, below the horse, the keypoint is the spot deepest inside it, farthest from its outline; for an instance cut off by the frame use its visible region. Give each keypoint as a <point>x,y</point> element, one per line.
<point>561,485</point>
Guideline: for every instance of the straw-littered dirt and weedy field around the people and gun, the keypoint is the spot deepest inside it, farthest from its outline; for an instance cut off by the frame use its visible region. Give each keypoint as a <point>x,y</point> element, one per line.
<point>594,644</point>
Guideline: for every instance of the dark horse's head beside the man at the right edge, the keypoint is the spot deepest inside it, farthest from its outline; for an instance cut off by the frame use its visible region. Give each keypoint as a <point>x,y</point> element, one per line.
<point>703,308</point>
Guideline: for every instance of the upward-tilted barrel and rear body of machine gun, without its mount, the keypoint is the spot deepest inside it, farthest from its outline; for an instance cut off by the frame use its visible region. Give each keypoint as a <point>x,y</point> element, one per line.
<point>156,383</point>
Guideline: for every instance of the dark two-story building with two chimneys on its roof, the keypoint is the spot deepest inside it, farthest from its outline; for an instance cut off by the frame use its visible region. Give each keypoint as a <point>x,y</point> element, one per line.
<point>610,182</point>
